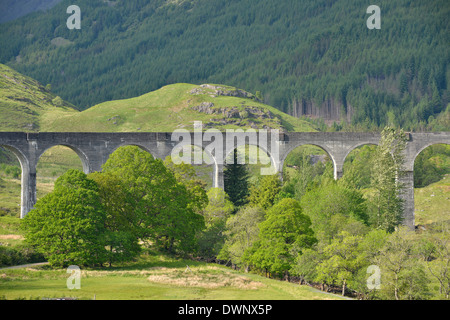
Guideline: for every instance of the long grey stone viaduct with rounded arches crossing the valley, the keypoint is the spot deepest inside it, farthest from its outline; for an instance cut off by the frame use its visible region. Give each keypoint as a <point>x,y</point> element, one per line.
<point>95,148</point>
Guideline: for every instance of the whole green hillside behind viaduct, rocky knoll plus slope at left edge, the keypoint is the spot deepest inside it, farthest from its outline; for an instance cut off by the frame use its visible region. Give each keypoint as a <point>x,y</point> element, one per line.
<point>26,105</point>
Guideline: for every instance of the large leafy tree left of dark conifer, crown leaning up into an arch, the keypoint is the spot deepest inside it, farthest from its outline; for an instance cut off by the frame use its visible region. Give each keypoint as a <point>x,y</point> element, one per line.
<point>163,206</point>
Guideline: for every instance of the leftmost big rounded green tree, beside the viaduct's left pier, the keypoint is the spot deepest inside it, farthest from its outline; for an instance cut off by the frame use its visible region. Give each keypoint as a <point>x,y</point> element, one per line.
<point>68,224</point>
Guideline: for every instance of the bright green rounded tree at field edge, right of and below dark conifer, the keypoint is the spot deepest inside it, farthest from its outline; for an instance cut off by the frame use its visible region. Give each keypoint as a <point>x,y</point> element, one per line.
<point>285,232</point>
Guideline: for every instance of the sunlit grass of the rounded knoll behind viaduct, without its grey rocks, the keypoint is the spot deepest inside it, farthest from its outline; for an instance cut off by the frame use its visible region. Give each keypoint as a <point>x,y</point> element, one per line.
<point>166,110</point>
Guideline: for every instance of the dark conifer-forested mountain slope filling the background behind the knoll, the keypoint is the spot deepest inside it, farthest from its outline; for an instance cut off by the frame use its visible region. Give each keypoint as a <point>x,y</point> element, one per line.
<point>311,57</point>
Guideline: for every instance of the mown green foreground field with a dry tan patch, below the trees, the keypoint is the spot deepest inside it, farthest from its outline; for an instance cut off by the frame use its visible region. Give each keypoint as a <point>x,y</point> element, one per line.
<point>154,277</point>
